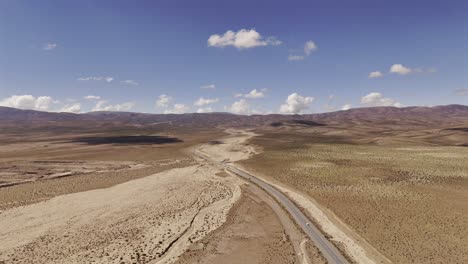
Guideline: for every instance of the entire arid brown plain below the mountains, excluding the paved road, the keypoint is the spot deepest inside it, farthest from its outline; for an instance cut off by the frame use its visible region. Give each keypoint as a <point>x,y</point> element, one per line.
<point>382,190</point>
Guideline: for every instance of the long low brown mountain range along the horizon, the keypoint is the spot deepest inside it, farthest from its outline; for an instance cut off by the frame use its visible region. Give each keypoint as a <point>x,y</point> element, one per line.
<point>447,114</point>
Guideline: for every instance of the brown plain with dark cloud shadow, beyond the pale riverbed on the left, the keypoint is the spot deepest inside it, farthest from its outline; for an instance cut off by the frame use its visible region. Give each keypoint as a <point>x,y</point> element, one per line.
<point>39,163</point>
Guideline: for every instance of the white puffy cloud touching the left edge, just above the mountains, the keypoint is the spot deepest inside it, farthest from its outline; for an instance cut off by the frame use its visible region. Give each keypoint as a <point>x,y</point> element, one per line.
<point>42,103</point>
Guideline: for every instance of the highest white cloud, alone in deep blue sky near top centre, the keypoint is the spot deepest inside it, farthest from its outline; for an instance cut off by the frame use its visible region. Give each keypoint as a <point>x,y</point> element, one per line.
<point>242,39</point>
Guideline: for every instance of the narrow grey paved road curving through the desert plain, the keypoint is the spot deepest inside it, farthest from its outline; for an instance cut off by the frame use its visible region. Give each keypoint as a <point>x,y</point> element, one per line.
<point>328,250</point>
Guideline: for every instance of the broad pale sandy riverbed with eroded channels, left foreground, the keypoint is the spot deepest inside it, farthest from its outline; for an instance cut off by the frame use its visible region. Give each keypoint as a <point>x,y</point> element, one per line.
<point>148,220</point>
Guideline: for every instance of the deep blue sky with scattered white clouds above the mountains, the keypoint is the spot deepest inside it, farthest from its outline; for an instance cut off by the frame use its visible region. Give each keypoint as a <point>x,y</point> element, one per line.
<point>155,56</point>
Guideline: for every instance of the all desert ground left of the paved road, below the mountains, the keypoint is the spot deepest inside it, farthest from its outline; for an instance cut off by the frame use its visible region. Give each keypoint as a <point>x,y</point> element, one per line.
<point>125,197</point>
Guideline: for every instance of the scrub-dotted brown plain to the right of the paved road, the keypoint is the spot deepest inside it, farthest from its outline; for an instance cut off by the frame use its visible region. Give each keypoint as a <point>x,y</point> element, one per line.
<point>409,202</point>
